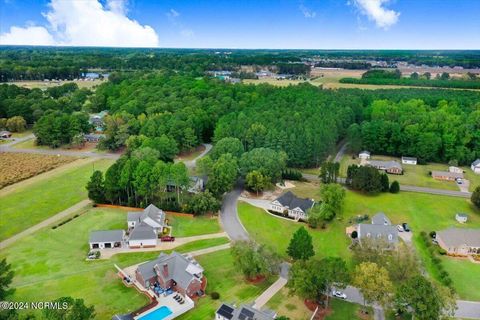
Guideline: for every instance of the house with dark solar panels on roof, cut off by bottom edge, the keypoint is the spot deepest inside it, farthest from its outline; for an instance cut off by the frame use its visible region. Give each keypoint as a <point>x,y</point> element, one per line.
<point>244,312</point>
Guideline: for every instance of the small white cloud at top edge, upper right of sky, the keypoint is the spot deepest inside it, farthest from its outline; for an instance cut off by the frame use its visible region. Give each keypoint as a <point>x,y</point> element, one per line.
<point>376,11</point>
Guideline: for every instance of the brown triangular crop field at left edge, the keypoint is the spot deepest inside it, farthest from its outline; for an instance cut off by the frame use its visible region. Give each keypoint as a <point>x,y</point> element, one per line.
<point>17,166</point>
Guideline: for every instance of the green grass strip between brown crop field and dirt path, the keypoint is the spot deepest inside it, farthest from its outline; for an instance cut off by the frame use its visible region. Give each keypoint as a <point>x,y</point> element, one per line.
<point>32,204</point>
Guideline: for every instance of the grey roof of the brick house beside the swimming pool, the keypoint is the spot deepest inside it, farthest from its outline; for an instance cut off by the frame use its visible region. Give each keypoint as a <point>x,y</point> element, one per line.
<point>180,268</point>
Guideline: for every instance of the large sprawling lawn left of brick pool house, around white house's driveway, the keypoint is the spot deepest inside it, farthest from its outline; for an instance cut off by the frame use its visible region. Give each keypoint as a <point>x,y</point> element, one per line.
<point>51,263</point>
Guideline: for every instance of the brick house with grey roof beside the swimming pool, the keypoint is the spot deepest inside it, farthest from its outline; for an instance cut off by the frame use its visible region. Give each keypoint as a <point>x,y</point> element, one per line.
<point>181,273</point>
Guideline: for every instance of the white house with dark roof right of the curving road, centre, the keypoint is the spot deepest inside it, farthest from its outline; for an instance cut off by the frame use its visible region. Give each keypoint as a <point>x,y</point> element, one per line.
<point>296,208</point>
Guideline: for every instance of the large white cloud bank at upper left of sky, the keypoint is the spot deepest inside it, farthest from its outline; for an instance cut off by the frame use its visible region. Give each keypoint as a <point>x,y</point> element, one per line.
<point>85,23</point>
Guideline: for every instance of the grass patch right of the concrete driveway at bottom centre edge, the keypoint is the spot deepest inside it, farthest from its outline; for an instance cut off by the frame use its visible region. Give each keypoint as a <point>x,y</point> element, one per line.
<point>286,304</point>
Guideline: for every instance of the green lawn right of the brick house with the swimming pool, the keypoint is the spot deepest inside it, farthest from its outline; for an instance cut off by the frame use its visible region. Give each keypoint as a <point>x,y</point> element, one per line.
<point>223,277</point>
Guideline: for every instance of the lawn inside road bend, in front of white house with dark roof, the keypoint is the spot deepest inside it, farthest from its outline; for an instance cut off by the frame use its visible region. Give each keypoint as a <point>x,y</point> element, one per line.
<point>276,232</point>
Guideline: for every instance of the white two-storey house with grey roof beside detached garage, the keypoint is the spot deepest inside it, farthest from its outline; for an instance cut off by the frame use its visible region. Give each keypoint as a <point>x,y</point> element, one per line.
<point>145,226</point>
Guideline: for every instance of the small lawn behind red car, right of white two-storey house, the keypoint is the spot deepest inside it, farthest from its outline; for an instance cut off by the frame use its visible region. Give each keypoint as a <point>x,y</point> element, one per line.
<point>186,226</point>
